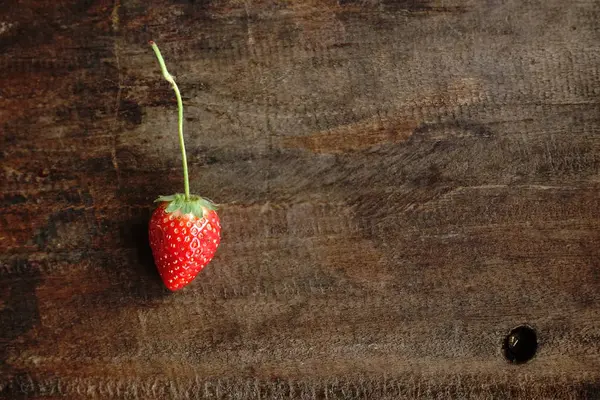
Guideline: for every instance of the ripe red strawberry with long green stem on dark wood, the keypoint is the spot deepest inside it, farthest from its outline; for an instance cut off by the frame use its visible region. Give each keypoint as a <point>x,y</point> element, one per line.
<point>184,230</point>
